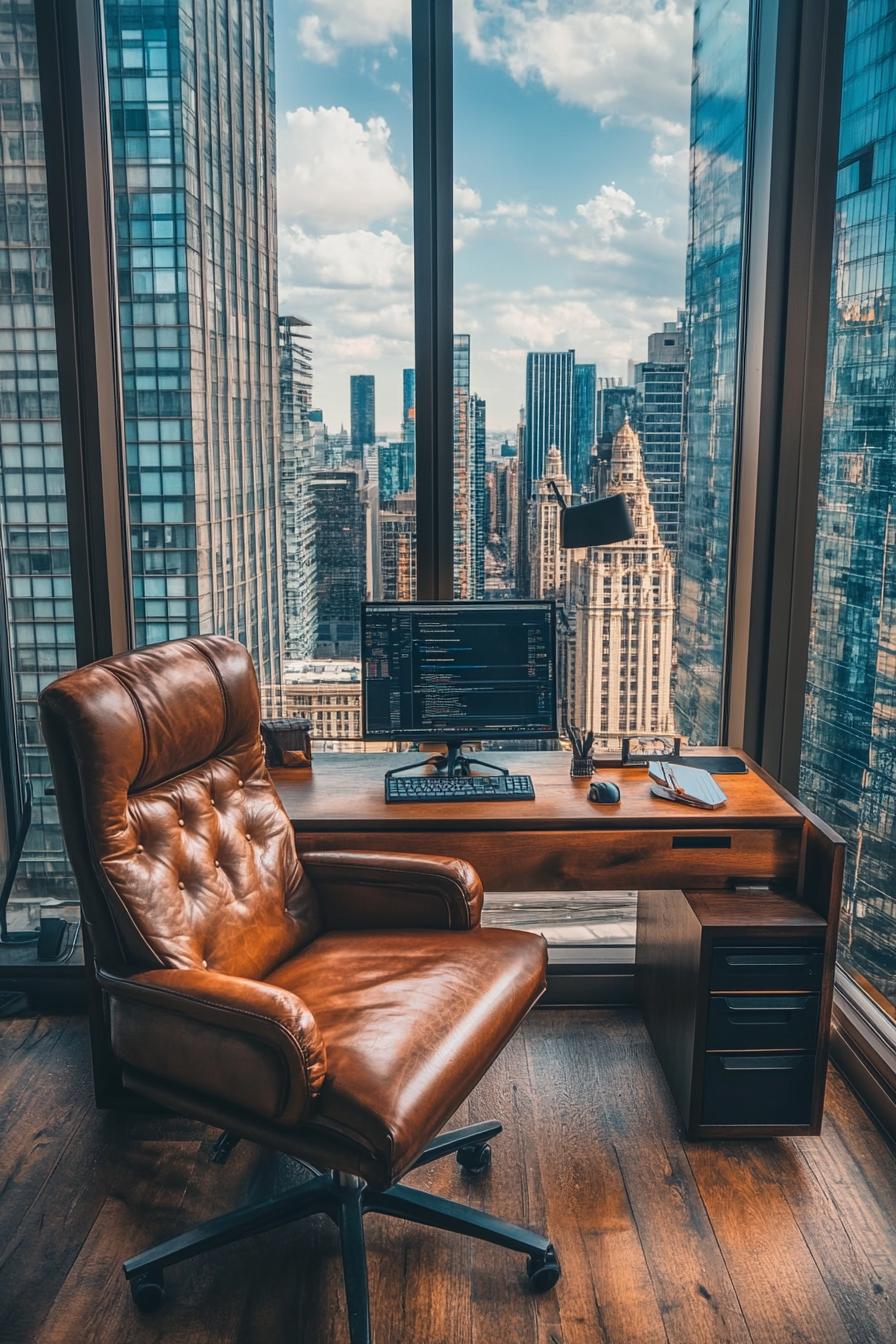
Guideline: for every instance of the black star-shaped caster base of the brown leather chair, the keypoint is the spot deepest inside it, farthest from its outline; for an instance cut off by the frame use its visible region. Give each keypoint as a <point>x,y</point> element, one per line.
<point>346,1200</point>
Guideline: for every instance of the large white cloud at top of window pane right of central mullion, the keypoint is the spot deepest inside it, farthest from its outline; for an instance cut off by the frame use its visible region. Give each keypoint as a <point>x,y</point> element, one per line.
<point>628,60</point>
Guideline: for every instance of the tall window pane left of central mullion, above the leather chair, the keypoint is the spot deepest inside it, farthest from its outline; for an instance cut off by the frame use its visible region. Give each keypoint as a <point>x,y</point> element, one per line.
<point>267,319</point>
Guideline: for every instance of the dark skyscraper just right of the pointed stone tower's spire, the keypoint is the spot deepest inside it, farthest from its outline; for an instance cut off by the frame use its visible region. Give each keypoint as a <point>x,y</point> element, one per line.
<point>660,386</point>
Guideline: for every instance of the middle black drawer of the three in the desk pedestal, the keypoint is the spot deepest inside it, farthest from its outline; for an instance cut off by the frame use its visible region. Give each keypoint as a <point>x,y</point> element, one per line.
<point>762,1022</point>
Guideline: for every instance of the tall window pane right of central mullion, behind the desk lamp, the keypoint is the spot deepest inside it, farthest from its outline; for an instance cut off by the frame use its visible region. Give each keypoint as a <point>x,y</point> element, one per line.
<point>598,209</point>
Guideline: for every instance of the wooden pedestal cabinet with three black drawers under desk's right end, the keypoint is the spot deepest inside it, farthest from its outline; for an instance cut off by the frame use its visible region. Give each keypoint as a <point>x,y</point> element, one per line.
<point>731,991</point>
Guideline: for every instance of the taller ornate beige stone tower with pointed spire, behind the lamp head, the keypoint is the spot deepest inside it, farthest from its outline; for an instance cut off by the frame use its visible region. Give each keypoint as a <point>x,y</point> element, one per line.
<point>624,603</point>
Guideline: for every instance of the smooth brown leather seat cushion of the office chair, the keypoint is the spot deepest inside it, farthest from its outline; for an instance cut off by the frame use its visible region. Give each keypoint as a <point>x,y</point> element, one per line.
<point>412,1021</point>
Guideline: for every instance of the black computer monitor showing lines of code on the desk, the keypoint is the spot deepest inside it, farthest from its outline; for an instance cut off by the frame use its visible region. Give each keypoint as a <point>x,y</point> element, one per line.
<point>459,671</point>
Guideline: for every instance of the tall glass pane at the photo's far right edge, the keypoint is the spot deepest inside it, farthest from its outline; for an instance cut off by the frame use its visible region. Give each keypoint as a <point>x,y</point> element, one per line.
<point>848,761</point>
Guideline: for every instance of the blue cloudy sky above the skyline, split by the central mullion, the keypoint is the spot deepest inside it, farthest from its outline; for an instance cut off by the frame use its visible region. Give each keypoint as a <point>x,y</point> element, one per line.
<point>572,183</point>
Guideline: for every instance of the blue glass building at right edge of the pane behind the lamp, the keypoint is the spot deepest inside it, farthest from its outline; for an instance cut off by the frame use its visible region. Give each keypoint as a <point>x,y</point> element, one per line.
<point>718,135</point>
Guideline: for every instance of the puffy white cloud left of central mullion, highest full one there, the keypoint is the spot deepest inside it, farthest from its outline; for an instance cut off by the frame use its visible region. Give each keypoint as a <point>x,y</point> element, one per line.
<point>337,173</point>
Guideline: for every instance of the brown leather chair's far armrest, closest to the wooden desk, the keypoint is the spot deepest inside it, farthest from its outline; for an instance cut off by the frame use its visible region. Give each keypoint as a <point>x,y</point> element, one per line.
<point>394,892</point>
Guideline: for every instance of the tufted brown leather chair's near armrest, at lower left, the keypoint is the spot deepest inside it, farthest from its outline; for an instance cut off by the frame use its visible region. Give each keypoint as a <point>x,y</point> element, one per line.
<point>238,1041</point>
